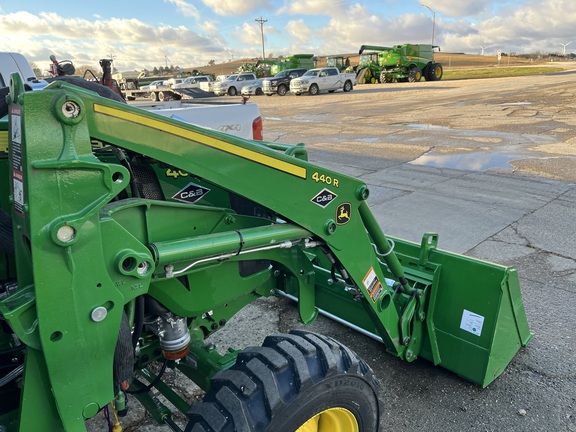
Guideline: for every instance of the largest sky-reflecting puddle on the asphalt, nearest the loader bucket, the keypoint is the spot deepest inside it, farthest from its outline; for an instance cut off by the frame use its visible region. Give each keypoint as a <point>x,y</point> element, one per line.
<point>472,161</point>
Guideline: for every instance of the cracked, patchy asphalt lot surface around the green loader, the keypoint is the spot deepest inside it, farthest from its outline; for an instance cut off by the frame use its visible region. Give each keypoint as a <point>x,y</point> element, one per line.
<point>491,166</point>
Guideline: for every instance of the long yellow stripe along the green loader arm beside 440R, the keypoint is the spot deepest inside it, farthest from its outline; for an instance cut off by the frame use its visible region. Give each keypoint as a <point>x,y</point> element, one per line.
<point>204,140</point>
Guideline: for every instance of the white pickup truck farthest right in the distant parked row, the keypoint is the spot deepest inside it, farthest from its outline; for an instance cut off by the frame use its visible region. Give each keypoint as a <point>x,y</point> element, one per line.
<point>322,79</point>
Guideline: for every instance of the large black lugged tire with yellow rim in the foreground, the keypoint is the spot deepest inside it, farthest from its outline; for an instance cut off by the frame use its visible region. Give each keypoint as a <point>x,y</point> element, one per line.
<point>300,381</point>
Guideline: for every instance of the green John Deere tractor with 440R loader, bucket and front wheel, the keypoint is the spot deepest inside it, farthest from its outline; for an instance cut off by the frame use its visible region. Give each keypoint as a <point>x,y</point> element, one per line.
<point>128,238</point>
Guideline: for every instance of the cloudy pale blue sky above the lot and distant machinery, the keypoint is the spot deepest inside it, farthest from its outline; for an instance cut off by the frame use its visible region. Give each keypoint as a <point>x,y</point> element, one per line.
<point>190,33</point>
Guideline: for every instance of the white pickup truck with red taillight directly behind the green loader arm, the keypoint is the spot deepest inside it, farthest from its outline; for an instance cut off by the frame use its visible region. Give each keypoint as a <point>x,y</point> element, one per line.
<point>239,119</point>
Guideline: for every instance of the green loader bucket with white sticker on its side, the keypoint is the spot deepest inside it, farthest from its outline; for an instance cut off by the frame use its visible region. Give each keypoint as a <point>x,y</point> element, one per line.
<point>475,319</point>
